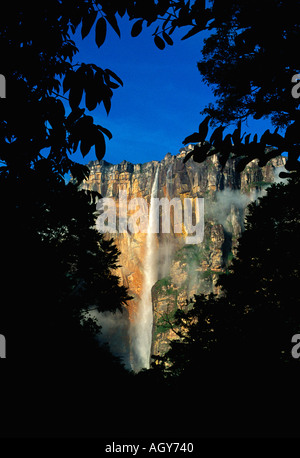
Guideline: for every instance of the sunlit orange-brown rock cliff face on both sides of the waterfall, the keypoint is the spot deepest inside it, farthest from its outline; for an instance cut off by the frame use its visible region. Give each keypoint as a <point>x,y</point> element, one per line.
<point>182,269</point>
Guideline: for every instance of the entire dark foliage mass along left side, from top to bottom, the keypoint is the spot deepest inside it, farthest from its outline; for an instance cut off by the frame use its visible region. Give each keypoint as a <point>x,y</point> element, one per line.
<point>55,266</point>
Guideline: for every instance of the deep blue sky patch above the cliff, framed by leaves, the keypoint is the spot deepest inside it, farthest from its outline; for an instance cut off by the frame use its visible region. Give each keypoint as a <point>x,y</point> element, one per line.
<point>162,96</point>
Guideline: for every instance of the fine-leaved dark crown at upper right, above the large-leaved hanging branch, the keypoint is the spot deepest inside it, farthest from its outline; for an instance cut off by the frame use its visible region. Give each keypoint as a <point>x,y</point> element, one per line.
<point>249,59</point>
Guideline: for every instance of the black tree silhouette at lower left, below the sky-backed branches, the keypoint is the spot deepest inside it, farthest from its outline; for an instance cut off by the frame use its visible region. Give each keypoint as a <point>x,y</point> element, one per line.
<point>55,268</point>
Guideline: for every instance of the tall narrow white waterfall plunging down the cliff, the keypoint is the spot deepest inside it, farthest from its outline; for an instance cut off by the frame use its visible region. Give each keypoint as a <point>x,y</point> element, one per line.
<point>144,321</point>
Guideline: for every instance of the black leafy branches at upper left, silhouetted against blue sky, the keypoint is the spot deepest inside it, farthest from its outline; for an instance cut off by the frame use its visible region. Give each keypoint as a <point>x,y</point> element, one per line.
<point>39,70</point>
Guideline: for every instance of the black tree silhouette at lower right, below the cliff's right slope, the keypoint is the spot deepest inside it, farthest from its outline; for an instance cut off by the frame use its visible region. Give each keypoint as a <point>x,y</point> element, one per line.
<point>232,355</point>
